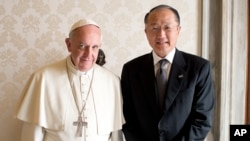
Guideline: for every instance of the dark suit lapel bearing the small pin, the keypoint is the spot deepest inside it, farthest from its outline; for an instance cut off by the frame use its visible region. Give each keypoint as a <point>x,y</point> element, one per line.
<point>176,77</point>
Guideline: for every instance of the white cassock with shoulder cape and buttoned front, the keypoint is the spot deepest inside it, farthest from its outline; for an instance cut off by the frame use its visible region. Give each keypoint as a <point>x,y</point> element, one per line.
<point>50,99</point>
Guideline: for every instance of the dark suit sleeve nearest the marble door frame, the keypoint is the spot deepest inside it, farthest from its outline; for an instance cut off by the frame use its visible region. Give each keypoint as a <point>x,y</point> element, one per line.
<point>203,105</point>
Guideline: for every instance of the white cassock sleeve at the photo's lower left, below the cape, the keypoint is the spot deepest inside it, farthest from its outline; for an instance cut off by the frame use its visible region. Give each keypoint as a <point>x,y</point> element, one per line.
<point>31,132</point>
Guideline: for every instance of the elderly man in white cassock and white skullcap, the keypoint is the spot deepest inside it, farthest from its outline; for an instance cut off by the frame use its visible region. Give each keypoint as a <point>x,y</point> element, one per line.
<point>73,99</point>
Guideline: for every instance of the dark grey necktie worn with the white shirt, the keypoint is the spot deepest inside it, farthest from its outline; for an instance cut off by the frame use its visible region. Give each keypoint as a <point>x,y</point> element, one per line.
<point>161,78</point>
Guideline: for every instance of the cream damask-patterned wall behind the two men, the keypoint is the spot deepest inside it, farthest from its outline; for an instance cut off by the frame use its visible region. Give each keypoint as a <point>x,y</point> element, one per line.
<point>32,34</point>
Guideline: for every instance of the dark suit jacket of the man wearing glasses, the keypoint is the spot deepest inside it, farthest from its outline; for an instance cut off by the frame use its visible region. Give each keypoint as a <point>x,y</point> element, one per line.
<point>189,101</point>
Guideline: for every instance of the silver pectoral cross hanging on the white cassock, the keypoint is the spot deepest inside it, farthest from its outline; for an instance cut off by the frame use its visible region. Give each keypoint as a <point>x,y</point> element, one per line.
<point>80,123</point>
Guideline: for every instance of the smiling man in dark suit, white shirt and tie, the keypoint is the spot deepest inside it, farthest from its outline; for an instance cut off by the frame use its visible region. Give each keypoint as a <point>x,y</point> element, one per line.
<point>184,111</point>
